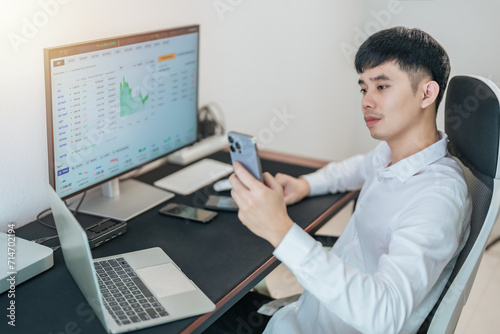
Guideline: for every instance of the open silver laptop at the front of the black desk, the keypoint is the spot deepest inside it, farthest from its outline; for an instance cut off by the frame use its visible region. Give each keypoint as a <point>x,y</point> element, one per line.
<point>129,291</point>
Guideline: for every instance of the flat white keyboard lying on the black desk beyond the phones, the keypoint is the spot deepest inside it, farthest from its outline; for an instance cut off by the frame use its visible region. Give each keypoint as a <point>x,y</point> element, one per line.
<point>195,176</point>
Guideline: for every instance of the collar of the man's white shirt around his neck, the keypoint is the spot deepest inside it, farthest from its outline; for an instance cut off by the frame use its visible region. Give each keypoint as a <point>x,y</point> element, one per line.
<point>404,169</point>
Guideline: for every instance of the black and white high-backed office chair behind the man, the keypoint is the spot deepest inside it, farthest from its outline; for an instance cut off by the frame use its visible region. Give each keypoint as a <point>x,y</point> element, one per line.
<point>472,122</point>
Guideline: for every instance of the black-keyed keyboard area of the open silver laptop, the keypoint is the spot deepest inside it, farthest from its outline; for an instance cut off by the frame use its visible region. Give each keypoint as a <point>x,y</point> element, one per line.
<point>125,296</point>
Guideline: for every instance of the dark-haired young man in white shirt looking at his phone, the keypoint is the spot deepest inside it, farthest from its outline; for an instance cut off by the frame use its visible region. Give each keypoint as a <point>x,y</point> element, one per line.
<point>387,270</point>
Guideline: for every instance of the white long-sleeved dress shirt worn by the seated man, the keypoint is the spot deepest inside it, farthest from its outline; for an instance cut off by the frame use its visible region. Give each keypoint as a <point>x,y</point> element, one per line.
<point>391,263</point>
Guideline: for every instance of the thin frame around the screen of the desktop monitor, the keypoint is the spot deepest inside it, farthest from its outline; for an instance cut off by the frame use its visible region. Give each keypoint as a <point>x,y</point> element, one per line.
<point>48,99</point>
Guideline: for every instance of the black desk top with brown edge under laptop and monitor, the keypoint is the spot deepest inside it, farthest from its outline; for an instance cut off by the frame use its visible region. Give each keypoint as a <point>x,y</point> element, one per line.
<point>223,258</point>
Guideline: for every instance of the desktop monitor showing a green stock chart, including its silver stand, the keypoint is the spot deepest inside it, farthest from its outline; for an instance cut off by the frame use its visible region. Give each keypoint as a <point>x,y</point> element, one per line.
<point>114,105</point>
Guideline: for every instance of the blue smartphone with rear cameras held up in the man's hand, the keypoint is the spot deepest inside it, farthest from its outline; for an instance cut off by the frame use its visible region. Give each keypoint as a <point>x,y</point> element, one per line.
<point>243,148</point>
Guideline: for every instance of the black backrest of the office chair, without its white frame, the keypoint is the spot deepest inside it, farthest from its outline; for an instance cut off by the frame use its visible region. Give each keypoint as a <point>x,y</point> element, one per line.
<point>472,123</point>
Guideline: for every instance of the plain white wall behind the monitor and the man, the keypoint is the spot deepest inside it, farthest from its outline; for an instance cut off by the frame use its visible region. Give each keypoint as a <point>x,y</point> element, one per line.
<point>258,58</point>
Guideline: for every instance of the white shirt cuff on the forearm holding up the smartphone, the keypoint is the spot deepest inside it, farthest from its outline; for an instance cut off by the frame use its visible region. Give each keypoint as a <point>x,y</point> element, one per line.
<point>295,247</point>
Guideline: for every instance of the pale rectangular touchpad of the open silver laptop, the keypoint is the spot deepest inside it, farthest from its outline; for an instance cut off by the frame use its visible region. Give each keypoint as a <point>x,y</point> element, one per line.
<point>165,280</point>
